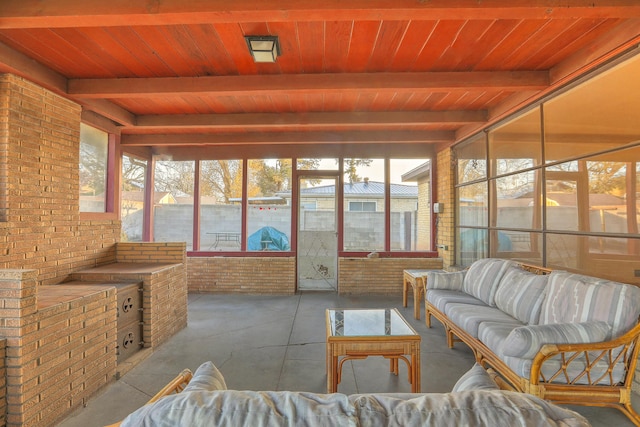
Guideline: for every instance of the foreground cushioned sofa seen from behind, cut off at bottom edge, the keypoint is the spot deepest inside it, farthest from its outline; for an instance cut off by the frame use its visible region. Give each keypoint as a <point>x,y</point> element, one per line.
<point>475,401</point>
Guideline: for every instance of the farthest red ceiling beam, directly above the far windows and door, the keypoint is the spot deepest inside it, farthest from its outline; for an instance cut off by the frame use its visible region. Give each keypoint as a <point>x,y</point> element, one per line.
<point>250,138</point>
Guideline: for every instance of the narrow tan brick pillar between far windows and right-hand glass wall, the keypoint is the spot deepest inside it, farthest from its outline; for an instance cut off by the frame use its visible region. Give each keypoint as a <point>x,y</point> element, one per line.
<point>445,231</point>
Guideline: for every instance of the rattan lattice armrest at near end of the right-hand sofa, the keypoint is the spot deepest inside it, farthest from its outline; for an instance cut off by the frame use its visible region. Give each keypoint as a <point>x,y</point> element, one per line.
<point>616,353</point>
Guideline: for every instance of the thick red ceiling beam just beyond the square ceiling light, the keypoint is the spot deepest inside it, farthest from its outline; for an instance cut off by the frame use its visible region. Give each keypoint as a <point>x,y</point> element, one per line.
<point>308,83</point>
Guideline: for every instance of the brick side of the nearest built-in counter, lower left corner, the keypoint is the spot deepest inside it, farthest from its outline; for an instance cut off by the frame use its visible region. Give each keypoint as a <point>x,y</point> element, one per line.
<point>58,356</point>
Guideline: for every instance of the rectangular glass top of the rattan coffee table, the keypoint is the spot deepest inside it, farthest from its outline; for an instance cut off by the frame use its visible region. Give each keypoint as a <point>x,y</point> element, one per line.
<point>368,322</point>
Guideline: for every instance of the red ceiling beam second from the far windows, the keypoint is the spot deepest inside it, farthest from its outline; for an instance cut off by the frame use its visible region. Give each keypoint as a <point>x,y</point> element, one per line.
<point>314,120</point>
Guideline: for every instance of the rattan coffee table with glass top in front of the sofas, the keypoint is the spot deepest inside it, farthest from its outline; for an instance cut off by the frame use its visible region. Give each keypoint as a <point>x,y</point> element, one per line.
<point>360,333</point>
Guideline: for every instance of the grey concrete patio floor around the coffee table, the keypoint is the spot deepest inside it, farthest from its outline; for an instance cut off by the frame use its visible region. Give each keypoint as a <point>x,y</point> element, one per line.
<point>278,343</point>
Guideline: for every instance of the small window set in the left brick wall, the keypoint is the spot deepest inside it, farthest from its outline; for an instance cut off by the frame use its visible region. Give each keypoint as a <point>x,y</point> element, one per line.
<point>94,156</point>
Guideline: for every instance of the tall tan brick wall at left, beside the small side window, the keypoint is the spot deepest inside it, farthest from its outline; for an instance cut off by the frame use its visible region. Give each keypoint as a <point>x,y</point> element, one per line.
<point>42,229</point>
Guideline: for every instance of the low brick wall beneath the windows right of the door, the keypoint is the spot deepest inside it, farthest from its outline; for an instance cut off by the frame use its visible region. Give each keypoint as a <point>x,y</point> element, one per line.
<point>378,276</point>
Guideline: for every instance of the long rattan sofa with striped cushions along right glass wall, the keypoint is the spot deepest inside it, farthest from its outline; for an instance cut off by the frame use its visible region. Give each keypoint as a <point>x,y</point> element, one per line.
<point>564,337</point>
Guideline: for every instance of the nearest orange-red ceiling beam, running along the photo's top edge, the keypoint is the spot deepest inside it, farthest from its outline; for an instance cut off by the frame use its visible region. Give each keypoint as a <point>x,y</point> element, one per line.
<point>98,13</point>
